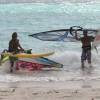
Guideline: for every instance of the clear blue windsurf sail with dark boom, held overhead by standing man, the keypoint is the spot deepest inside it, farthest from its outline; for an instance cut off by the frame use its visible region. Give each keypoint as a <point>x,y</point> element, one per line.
<point>62,34</point>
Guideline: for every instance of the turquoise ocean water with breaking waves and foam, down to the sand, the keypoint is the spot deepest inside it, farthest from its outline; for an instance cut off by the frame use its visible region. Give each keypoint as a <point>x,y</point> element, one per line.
<point>29,18</point>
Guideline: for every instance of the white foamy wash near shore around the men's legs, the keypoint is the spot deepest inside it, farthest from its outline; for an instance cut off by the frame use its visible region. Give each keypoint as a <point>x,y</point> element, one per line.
<point>70,72</point>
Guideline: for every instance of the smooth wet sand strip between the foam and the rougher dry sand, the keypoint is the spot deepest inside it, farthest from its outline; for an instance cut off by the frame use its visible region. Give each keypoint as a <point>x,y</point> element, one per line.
<point>54,84</point>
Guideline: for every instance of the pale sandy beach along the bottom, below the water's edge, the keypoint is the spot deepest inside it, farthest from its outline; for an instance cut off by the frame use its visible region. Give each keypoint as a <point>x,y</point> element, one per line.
<point>50,90</point>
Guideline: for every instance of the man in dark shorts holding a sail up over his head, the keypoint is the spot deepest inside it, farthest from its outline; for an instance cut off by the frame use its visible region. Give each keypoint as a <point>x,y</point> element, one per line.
<point>86,47</point>
